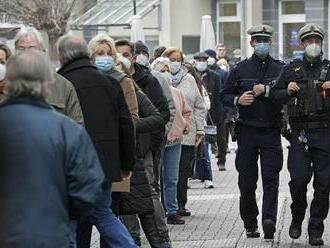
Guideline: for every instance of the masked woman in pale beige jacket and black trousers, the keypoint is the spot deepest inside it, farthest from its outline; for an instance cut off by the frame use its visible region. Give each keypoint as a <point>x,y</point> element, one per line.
<point>183,80</point>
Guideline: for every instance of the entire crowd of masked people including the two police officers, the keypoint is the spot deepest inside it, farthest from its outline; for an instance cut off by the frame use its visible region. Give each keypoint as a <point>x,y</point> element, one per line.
<point>112,138</point>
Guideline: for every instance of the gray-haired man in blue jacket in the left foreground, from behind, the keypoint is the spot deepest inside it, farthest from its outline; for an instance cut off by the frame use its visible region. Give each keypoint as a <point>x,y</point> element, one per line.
<point>49,172</point>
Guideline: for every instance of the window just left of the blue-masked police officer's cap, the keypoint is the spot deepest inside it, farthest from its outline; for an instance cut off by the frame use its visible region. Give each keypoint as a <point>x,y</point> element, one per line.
<point>229,29</point>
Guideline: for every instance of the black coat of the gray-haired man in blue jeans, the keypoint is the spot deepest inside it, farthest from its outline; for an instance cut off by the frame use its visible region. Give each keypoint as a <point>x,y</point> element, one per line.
<point>106,116</point>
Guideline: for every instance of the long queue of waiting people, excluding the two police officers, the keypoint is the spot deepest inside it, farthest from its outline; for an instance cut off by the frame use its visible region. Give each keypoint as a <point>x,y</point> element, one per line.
<point>118,156</point>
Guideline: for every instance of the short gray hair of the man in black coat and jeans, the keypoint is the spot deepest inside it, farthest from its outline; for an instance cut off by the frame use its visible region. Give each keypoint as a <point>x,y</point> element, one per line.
<point>71,47</point>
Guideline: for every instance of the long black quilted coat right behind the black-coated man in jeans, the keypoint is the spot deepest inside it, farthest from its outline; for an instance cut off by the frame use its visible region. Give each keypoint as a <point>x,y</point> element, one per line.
<point>139,200</point>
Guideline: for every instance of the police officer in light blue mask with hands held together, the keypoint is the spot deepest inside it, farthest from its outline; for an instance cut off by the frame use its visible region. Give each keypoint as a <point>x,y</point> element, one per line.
<point>258,131</point>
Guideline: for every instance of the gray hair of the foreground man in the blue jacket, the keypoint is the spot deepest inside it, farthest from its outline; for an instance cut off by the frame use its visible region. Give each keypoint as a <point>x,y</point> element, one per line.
<point>28,74</point>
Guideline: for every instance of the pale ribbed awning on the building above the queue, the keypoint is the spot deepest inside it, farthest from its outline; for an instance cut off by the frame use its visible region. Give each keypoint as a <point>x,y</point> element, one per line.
<point>114,13</point>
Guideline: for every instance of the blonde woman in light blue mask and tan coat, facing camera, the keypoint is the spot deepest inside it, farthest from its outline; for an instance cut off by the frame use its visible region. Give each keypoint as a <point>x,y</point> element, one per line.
<point>104,55</point>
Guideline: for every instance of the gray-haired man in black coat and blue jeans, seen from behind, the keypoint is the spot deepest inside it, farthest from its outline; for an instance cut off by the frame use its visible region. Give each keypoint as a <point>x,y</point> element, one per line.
<point>110,126</point>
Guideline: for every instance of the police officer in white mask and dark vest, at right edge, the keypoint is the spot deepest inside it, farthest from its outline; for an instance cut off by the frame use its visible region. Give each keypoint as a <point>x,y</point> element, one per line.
<point>303,87</point>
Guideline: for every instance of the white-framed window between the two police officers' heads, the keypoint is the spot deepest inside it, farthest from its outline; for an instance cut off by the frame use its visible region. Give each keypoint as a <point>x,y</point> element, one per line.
<point>291,18</point>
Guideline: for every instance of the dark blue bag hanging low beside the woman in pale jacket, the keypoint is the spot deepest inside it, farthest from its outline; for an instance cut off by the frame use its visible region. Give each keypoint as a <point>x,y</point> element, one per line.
<point>201,164</point>
